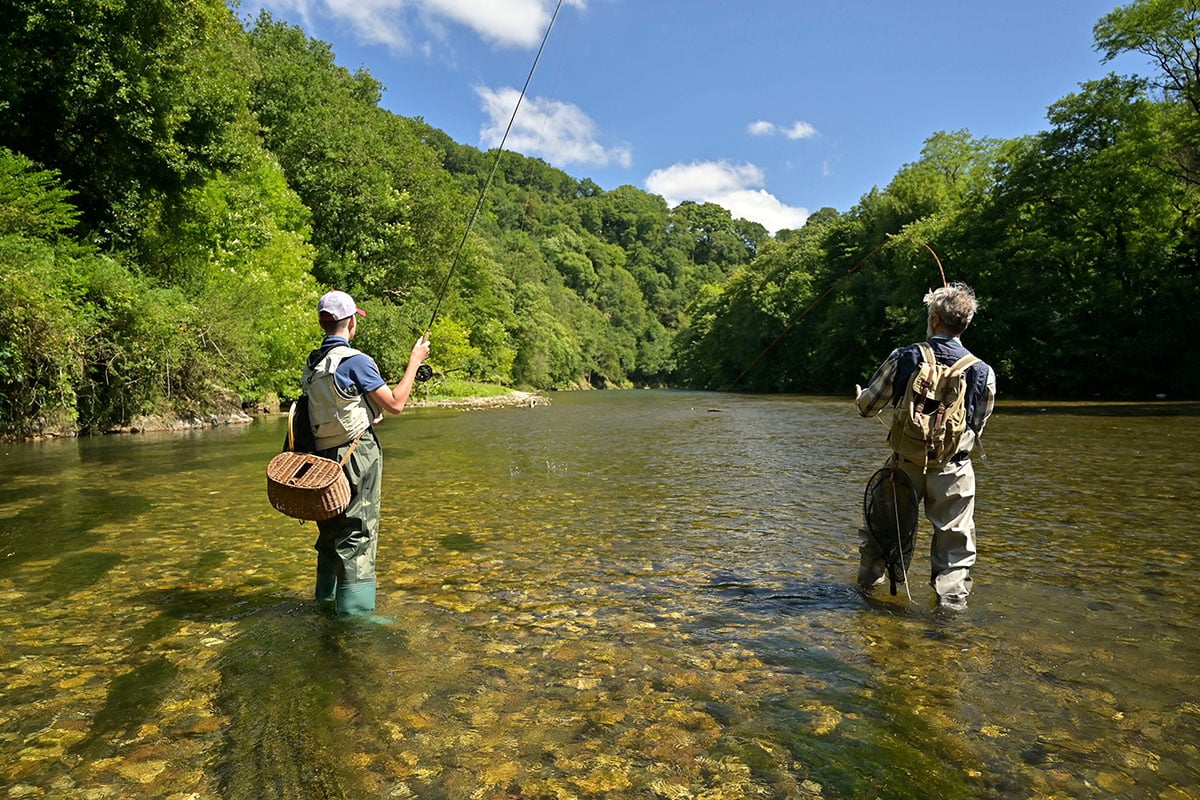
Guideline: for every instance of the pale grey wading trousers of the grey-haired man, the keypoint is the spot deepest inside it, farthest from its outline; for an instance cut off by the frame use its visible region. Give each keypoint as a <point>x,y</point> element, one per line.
<point>949,497</point>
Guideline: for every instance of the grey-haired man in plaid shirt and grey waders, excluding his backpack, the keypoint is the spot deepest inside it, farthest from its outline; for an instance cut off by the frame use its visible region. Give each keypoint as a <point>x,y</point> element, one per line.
<point>949,489</point>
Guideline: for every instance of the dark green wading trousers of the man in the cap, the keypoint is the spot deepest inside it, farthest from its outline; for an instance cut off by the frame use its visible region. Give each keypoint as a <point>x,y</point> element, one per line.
<point>346,544</point>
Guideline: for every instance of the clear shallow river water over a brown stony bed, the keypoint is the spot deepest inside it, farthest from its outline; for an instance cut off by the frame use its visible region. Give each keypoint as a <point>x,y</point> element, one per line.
<point>619,596</point>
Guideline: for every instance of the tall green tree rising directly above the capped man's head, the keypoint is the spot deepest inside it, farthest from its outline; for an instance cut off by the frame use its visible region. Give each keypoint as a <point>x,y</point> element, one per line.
<point>386,221</point>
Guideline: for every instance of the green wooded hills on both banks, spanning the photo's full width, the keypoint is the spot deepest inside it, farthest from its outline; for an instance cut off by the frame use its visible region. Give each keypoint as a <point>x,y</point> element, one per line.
<point>177,188</point>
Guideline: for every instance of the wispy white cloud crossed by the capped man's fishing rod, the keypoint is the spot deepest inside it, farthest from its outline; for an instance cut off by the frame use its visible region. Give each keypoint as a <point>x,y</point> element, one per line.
<point>549,129</point>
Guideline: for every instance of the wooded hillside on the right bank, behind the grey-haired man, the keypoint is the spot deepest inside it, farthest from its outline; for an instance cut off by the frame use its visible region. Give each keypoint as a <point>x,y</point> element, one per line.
<point>1082,243</point>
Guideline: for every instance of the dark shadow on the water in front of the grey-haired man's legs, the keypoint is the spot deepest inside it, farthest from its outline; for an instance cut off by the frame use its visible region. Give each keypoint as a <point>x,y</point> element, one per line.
<point>872,737</point>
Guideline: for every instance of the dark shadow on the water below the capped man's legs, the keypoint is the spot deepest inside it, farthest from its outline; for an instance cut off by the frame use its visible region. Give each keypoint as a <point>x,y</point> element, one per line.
<point>296,689</point>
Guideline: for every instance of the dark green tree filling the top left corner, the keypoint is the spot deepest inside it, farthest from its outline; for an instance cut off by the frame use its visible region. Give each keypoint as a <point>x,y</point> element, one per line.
<point>133,101</point>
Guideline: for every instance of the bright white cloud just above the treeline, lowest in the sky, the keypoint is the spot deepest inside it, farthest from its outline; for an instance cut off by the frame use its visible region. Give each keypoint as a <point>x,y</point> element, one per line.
<point>731,187</point>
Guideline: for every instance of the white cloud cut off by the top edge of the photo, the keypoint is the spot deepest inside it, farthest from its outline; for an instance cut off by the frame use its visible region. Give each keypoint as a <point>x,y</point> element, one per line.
<point>398,23</point>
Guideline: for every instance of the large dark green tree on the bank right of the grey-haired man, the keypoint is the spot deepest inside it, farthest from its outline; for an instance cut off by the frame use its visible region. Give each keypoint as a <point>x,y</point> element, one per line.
<point>1091,239</point>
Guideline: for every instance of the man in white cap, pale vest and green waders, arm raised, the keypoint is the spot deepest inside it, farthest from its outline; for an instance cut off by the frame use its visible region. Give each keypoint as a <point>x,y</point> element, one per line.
<point>347,396</point>
